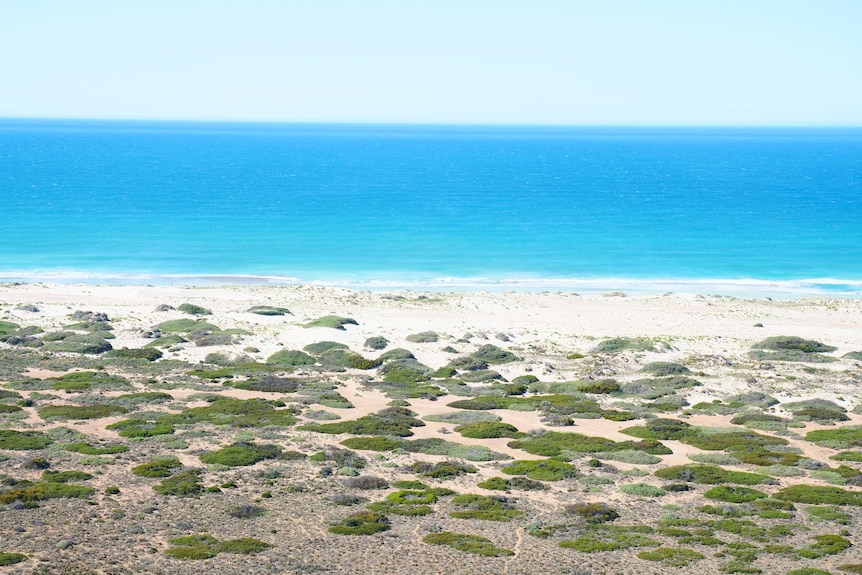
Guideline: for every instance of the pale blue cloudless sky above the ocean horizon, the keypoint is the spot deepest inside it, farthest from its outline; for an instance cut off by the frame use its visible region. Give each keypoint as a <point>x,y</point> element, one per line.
<point>560,62</point>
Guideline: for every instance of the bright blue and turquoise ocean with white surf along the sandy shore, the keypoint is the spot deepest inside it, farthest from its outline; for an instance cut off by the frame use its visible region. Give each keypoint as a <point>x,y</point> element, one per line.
<point>405,204</point>
